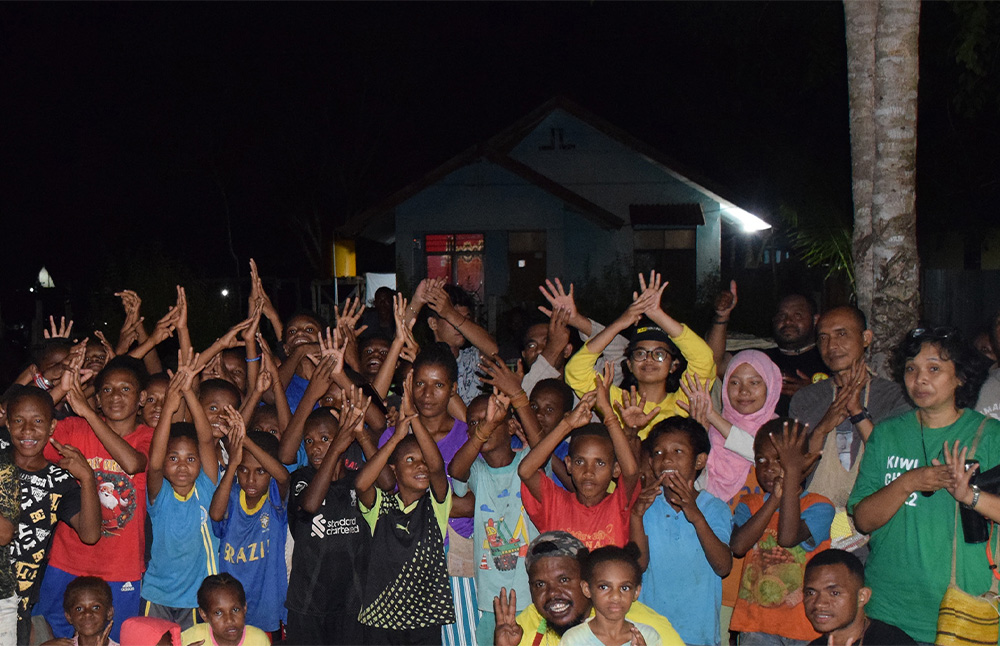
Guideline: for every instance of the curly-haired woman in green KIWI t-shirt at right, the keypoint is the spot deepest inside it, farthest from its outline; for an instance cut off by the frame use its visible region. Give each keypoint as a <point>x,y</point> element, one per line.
<point>913,477</point>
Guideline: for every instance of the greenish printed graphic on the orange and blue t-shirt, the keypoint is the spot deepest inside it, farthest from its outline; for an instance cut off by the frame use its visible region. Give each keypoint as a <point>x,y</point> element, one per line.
<point>772,576</point>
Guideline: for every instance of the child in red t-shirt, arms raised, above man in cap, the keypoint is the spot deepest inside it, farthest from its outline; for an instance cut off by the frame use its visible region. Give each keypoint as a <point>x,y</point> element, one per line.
<point>598,454</point>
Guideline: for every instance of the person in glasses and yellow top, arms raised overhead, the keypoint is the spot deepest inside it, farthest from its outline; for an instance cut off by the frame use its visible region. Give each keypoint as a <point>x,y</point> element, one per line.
<point>655,356</point>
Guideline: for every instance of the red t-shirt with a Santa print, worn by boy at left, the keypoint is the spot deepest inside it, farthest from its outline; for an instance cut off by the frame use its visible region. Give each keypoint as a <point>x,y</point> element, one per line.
<point>118,555</point>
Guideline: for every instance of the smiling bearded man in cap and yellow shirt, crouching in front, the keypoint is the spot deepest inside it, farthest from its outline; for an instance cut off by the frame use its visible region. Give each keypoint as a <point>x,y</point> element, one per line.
<point>557,599</point>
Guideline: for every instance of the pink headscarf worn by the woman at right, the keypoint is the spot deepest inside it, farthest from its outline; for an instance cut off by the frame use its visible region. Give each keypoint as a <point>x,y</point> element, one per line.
<point>727,471</point>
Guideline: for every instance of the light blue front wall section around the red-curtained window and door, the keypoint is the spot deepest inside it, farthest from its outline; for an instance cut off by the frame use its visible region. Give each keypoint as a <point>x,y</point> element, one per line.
<point>484,197</point>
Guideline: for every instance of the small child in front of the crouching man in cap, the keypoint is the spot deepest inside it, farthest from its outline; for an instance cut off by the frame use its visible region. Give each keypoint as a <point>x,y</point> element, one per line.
<point>612,580</point>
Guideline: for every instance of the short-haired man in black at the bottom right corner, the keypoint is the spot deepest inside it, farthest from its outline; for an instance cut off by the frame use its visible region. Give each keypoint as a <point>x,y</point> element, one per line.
<point>835,596</point>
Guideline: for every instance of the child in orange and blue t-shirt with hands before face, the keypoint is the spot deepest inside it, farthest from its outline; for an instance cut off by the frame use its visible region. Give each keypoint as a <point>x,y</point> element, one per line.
<point>777,531</point>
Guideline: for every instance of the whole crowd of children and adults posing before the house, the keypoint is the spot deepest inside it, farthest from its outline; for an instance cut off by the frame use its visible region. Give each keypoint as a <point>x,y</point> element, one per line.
<point>389,479</point>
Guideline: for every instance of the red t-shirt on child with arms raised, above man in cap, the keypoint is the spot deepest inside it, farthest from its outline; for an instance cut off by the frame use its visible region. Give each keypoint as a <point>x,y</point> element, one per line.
<point>606,523</point>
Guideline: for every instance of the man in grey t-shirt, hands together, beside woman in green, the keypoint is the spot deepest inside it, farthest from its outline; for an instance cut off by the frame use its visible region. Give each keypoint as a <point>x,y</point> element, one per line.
<point>842,411</point>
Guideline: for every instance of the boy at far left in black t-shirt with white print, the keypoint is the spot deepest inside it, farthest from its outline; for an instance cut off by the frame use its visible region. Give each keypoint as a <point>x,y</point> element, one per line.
<point>48,493</point>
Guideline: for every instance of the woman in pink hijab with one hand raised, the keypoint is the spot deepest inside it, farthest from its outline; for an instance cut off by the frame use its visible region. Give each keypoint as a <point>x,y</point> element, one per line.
<point>752,386</point>
